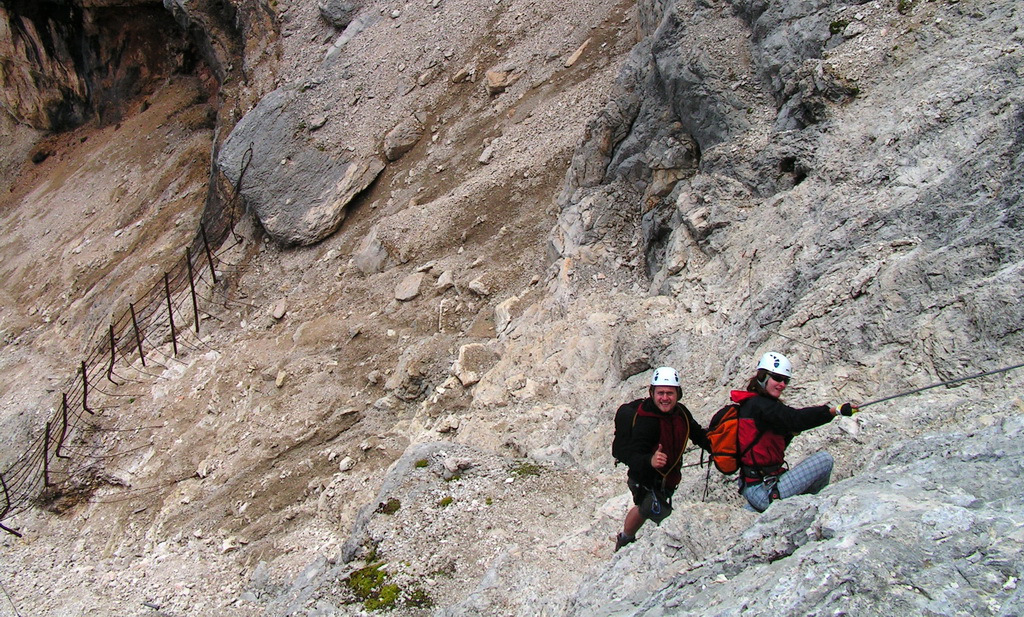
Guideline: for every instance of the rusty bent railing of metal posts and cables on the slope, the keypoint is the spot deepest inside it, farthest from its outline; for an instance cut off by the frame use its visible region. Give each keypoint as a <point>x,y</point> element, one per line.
<point>158,327</point>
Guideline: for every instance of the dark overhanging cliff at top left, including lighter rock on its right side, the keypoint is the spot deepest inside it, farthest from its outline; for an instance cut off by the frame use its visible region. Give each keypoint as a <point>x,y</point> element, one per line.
<point>65,63</point>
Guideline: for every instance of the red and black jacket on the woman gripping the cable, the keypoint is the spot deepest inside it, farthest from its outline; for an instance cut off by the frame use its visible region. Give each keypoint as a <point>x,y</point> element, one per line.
<point>770,426</point>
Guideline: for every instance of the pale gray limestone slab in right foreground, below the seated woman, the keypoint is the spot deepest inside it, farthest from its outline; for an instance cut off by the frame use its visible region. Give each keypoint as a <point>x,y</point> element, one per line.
<point>932,527</point>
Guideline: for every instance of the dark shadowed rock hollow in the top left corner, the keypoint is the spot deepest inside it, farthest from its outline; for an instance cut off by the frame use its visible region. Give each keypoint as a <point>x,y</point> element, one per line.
<point>67,63</point>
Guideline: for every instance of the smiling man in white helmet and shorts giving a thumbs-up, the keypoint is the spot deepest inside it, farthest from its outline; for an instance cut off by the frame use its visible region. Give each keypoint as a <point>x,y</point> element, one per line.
<point>651,438</point>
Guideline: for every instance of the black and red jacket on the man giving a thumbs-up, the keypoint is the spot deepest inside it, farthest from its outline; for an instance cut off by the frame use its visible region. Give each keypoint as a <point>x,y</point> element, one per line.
<point>672,431</point>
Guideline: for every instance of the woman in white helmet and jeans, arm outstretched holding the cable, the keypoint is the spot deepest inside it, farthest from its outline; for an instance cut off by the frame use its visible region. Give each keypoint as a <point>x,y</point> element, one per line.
<point>767,426</point>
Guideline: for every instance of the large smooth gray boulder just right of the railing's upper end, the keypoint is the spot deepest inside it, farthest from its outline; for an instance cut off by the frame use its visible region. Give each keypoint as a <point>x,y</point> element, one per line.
<point>298,193</point>
